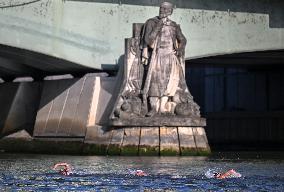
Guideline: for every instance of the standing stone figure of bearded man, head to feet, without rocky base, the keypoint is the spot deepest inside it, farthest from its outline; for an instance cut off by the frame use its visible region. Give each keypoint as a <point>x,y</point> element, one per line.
<point>163,51</point>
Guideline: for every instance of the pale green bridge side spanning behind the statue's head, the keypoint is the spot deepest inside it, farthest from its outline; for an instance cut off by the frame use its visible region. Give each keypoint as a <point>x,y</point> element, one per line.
<point>92,32</point>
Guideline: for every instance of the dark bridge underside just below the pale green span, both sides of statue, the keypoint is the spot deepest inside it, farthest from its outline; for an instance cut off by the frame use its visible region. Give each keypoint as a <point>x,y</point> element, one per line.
<point>15,62</point>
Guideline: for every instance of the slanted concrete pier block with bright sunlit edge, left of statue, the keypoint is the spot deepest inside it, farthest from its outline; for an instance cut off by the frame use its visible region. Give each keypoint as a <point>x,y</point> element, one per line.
<point>69,107</point>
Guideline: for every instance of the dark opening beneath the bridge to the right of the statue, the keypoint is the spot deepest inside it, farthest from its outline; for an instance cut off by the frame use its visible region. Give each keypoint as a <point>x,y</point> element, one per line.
<point>241,96</point>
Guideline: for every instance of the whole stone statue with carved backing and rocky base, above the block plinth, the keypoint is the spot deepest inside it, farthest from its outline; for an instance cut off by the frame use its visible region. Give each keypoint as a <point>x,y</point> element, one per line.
<point>154,84</point>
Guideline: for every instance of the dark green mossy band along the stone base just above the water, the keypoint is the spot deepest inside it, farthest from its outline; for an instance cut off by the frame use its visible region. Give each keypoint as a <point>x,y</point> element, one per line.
<point>77,147</point>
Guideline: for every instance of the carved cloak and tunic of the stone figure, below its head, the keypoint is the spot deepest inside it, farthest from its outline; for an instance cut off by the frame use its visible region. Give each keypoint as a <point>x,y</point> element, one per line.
<point>163,42</point>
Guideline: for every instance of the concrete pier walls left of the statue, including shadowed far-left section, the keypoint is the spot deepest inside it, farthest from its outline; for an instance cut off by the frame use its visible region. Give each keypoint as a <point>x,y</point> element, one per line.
<point>57,107</point>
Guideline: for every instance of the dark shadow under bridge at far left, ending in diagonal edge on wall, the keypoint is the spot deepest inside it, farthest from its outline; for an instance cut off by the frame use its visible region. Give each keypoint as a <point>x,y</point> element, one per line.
<point>21,101</point>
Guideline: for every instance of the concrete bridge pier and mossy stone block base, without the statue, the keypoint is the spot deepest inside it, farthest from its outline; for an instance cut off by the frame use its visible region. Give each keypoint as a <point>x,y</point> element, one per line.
<point>72,117</point>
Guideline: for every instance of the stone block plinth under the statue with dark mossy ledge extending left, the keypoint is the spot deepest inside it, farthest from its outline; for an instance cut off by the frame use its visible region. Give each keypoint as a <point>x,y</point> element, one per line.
<point>143,141</point>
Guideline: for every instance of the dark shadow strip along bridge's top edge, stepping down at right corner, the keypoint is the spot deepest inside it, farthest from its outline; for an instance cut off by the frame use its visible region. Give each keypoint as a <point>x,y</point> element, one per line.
<point>274,8</point>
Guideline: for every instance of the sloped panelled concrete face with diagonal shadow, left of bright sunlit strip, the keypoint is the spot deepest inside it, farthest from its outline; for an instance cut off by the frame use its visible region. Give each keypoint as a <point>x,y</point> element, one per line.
<point>64,107</point>
